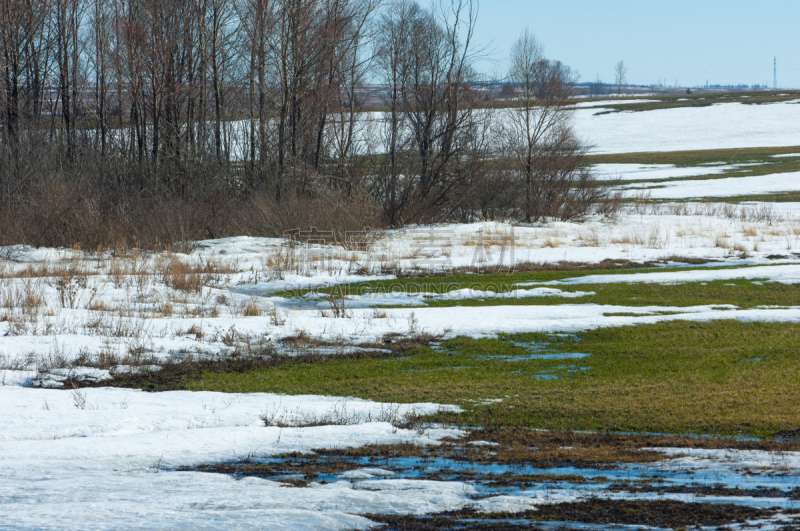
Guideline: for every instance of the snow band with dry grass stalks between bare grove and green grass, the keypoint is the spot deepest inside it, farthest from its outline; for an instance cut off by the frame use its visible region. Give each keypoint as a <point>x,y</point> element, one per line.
<point>85,304</point>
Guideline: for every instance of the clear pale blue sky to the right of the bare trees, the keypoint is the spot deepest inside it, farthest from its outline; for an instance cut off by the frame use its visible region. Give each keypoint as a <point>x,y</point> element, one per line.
<point>691,41</point>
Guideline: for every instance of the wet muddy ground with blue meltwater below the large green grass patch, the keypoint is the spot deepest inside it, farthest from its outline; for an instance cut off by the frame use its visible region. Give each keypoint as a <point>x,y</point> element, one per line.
<point>569,480</point>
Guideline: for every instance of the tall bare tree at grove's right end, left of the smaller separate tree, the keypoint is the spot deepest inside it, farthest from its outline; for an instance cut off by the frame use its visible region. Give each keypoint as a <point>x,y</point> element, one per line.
<point>426,65</point>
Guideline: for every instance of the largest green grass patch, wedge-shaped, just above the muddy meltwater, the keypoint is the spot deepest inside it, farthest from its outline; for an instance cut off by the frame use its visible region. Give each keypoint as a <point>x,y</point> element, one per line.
<point>720,378</point>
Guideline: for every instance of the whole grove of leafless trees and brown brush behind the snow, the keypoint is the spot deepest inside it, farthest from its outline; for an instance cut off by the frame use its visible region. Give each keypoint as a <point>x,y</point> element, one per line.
<point>156,121</point>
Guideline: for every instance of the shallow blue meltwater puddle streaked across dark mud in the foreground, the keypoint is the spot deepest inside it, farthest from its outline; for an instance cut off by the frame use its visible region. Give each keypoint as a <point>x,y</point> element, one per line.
<point>718,484</point>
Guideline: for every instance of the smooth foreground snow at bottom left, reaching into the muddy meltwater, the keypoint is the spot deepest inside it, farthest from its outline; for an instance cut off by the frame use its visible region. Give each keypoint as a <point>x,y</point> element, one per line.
<point>115,462</point>
